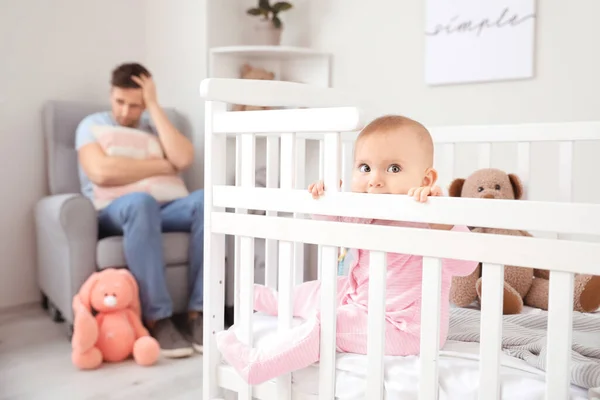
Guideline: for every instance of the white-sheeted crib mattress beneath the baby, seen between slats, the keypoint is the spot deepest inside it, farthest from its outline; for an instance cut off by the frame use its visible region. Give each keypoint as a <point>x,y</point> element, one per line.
<point>458,373</point>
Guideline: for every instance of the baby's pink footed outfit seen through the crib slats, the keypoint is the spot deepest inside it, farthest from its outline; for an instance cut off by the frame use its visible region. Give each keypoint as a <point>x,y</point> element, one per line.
<point>299,347</point>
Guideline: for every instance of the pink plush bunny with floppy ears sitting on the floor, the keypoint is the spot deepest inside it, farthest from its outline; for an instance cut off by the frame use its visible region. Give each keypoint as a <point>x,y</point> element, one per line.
<point>116,332</point>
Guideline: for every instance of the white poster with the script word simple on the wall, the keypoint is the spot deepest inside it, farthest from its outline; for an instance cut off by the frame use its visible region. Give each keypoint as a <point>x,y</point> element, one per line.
<point>478,41</point>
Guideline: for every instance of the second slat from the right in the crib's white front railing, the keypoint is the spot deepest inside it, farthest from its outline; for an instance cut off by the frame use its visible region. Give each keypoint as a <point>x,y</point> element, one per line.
<point>491,331</point>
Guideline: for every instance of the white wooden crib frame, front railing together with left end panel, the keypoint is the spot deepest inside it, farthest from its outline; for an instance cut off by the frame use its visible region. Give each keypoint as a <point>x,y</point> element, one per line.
<point>492,250</point>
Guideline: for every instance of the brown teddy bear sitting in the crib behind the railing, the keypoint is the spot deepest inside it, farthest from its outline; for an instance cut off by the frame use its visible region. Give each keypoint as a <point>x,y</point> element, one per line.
<point>522,286</point>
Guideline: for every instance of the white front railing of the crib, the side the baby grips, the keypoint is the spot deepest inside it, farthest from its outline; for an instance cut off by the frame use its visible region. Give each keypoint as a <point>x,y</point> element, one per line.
<point>494,251</point>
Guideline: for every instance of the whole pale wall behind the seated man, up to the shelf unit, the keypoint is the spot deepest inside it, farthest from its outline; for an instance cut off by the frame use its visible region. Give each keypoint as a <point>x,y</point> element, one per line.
<point>65,49</point>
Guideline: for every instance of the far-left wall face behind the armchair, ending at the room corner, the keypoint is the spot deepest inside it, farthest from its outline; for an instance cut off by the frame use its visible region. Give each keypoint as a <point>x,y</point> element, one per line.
<point>59,49</point>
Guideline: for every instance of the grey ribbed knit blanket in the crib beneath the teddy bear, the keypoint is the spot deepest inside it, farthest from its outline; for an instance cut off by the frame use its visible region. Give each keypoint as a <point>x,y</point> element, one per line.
<point>524,337</point>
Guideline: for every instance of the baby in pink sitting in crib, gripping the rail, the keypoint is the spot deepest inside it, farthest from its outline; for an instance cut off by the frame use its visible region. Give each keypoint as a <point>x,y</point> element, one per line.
<point>393,155</point>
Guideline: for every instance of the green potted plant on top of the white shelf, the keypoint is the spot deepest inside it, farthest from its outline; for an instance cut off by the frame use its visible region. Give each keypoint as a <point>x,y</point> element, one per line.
<point>267,30</point>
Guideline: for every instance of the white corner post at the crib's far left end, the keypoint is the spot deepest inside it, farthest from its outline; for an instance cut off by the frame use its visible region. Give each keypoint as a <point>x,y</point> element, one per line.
<point>214,254</point>
